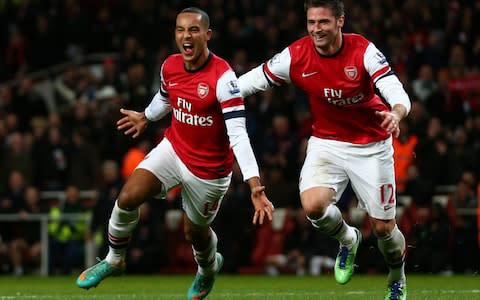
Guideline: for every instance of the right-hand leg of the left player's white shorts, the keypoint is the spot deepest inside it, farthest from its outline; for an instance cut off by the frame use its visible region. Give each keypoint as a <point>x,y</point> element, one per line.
<point>201,198</point>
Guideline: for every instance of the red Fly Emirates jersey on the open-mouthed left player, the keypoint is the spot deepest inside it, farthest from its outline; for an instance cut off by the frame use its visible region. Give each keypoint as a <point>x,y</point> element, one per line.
<point>200,100</point>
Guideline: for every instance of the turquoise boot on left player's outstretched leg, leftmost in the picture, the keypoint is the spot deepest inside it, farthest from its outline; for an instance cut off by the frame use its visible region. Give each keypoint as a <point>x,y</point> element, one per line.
<point>92,276</point>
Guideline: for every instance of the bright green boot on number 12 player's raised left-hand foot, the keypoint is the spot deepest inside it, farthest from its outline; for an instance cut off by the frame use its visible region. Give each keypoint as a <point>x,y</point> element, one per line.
<point>344,264</point>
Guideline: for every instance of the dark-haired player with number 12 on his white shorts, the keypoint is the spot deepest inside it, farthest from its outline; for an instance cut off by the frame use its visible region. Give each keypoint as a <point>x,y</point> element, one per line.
<point>352,132</point>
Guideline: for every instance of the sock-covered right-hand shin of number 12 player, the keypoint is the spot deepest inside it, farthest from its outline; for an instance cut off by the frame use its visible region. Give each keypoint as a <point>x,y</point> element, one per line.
<point>392,247</point>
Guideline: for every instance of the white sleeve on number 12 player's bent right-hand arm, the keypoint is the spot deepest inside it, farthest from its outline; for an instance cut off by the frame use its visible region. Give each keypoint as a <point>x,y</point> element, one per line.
<point>384,78</point>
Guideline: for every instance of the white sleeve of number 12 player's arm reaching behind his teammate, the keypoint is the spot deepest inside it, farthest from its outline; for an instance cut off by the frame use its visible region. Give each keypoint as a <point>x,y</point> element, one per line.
<point>275,71</point>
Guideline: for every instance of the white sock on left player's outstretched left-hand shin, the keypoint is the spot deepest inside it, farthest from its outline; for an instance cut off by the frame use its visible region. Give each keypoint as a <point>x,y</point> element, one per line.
<point>120,226</point>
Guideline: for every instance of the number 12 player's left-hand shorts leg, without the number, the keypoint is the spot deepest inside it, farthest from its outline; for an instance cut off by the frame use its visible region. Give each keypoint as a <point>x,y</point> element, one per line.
<point>323,167</point>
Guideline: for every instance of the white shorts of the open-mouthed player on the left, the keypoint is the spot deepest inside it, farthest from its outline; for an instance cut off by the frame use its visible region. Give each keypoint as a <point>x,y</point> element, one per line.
<point>201,198</point>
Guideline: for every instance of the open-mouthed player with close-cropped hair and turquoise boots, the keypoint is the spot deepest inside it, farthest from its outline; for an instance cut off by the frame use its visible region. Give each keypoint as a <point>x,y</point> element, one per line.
<point>207,129</point>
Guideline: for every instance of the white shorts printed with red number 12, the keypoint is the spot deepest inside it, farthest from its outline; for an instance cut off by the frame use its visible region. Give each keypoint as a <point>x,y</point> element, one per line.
<point>368,167</point>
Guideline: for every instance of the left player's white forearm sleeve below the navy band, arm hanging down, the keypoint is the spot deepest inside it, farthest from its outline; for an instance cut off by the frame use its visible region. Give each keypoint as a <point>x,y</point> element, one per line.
<point>242,149</point>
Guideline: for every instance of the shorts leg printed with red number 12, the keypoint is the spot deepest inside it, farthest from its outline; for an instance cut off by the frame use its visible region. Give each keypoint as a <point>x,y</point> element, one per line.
<point>372,175</point>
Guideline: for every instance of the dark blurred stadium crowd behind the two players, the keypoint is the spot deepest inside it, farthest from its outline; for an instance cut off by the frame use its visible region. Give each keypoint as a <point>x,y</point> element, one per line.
<point>66,67</point>
